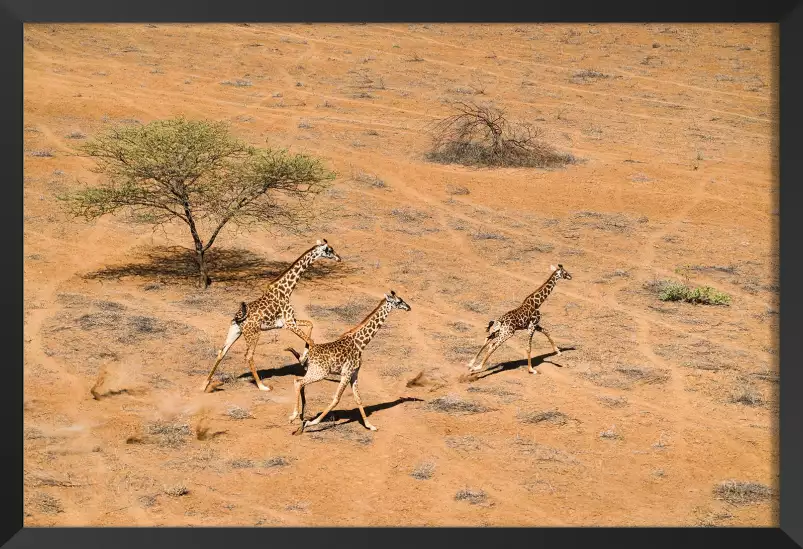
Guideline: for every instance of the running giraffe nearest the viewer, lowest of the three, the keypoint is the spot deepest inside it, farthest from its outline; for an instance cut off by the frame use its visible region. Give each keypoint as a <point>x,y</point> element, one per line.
<point>341,357</point>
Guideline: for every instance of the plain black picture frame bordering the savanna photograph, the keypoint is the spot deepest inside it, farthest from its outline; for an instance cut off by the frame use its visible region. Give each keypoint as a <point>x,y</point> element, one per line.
<point>14,13</point>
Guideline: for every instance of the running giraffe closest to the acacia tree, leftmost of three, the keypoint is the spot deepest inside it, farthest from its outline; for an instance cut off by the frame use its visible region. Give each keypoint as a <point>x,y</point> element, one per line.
<point>271,310</point>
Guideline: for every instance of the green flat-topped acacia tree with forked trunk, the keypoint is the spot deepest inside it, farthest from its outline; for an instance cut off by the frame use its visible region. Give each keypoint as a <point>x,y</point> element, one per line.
<point>197,173</point>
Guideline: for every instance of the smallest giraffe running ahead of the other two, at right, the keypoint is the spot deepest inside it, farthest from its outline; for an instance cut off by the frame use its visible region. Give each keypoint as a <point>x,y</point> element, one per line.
<point>525,316</point>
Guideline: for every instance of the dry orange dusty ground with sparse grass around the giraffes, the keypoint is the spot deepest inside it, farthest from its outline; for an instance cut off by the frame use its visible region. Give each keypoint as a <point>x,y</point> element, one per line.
<point>655,403</point>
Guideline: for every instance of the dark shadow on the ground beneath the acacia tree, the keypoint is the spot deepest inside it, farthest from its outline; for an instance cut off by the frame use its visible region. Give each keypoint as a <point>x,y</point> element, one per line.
<point>232,265</point>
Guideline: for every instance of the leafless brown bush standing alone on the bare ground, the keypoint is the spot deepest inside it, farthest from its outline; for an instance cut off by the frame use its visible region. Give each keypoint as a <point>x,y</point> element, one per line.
<point>481,135</point>
